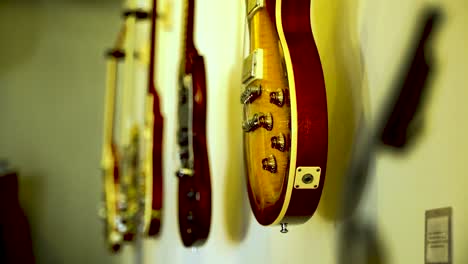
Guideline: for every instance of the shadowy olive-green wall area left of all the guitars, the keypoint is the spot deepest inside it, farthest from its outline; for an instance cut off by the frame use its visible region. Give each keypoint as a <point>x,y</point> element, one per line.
<point>52,76</point>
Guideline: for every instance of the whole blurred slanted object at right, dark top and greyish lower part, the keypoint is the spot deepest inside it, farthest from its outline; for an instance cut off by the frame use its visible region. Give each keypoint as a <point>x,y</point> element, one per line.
<point>395,127</point>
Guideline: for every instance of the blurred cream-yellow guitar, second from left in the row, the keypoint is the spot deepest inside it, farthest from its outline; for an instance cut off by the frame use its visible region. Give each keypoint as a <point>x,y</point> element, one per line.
<point>130,136</point>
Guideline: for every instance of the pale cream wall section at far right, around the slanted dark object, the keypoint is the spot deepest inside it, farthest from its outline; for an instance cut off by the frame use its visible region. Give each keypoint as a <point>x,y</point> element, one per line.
<point>431,174</point>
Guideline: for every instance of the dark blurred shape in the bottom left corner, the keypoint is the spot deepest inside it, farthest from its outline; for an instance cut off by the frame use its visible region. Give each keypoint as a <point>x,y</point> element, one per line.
<point>15,238</point>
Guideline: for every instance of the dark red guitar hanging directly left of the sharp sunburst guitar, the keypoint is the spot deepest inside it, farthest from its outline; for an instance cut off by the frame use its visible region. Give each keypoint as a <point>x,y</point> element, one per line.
<point>194,173</point>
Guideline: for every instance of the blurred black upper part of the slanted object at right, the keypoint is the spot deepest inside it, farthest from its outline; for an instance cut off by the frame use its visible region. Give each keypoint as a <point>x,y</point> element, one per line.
<point>403,123</point>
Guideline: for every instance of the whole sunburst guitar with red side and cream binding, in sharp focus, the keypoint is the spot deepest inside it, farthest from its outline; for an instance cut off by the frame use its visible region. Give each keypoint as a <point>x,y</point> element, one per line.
<point>285,113</point>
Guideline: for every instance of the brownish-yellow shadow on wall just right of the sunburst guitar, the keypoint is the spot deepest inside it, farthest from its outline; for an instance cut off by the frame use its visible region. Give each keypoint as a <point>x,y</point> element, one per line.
<point>335,28</point>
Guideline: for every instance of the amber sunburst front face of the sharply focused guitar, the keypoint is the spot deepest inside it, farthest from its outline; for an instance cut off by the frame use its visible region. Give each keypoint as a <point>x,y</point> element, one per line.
<point>267,167</point>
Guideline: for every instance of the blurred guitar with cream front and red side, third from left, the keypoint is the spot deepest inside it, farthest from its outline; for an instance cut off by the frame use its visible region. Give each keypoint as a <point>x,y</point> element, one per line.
<point>153,136</point>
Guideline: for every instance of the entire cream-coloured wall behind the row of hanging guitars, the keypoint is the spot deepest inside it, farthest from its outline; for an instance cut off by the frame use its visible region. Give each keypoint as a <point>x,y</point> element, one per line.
<point>51,97</point>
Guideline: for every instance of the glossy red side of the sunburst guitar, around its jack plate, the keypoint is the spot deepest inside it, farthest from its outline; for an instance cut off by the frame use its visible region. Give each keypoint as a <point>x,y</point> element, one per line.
<point>312,147</point>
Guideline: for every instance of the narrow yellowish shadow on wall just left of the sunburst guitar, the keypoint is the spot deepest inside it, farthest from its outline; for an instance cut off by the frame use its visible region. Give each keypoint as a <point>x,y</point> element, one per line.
<point>237,207</point>
